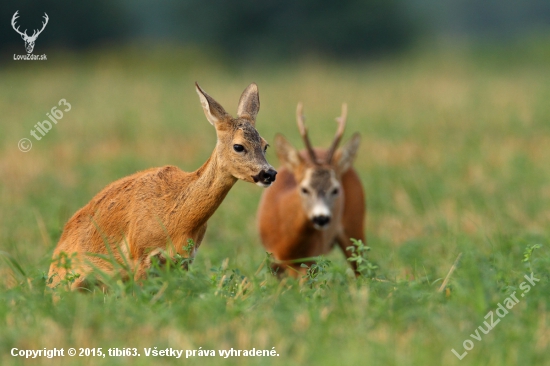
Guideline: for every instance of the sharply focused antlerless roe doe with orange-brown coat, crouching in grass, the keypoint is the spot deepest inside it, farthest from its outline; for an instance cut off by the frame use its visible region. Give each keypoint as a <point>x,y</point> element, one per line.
<point>155,212</point>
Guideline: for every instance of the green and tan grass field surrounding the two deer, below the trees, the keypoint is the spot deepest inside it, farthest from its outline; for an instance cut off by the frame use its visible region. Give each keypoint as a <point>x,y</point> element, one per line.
<point>454,159</point>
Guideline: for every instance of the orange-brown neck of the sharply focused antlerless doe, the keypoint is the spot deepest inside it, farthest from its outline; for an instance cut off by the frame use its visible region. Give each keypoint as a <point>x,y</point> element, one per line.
<point>204,194</point>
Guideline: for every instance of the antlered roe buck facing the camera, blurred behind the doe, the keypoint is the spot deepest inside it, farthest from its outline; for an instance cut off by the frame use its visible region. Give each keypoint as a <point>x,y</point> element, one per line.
<point>317,202</point>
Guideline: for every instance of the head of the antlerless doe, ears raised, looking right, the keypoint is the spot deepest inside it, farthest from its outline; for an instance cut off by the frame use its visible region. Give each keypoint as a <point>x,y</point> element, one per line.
<point>240,148</point>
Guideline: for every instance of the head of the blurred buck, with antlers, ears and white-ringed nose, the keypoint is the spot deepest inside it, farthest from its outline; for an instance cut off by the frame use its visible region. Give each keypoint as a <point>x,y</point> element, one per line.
<point>318,173</point>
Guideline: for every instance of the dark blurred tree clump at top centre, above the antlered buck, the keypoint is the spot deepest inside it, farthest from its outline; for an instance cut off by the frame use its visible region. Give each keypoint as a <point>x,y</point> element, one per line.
<point>288,27</point>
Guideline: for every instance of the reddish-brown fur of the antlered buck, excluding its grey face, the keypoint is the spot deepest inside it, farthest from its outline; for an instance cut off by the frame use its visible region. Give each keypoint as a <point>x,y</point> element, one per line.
<point>286,231</point>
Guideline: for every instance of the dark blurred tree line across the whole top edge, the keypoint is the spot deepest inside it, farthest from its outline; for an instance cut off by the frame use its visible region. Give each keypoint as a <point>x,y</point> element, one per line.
<point>275,30</point>
